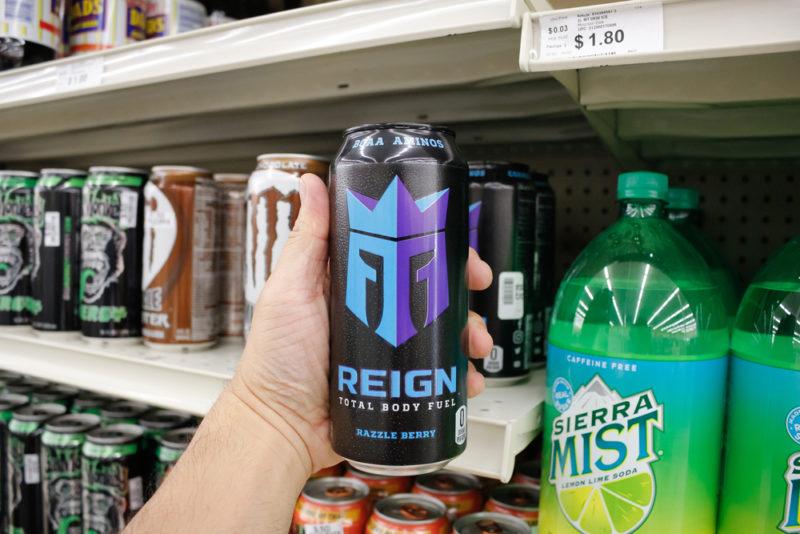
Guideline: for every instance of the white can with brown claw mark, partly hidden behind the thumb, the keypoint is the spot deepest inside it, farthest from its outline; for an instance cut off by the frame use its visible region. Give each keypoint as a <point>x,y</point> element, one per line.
<point>273,202</point>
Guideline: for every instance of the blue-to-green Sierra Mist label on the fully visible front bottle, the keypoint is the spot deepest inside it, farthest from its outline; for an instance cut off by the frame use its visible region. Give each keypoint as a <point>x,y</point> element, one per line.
<point>628,441</point>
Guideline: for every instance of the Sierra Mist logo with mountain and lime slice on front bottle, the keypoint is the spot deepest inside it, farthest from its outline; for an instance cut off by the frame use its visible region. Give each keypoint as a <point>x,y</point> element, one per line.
<point>600,465</point>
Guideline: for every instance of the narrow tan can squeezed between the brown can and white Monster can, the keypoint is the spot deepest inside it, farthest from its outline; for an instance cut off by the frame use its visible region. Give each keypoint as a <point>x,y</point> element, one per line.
<point>232,216</point>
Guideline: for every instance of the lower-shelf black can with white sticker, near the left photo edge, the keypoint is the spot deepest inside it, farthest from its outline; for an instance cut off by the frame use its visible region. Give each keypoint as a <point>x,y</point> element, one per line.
<point>24,490</point>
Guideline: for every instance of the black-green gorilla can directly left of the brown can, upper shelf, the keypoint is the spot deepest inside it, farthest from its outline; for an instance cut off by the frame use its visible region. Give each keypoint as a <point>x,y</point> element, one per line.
<point>112,227</point>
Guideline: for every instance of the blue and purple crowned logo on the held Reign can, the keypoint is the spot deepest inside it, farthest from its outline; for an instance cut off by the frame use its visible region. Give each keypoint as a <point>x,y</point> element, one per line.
<point>408,236</point>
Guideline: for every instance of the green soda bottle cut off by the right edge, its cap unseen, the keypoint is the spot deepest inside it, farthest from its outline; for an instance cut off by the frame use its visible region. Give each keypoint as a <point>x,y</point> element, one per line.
<point>761,488</point>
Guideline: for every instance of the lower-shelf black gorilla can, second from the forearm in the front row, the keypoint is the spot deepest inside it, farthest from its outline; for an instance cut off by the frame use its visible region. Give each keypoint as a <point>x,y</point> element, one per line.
<point>112,481</point>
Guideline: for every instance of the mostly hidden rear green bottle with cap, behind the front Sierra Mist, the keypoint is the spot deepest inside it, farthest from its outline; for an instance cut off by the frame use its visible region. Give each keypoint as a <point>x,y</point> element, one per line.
<point>683,210</point>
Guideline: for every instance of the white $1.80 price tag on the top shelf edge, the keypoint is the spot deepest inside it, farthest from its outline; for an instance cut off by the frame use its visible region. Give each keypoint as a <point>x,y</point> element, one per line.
<point>611,30</point>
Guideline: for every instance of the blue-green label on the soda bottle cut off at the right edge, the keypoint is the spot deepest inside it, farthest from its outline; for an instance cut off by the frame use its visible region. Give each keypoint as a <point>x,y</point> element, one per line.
<point>761,485</point>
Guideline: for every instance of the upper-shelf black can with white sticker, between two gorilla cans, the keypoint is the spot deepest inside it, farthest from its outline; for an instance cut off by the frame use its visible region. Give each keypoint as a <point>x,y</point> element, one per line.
<point>57,250</point>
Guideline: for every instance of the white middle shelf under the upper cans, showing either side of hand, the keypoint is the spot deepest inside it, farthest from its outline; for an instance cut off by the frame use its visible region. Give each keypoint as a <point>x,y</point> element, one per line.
<point>502,421</point>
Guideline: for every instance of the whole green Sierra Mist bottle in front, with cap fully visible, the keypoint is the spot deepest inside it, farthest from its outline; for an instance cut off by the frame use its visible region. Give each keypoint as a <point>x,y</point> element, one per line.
<point>636,377</point>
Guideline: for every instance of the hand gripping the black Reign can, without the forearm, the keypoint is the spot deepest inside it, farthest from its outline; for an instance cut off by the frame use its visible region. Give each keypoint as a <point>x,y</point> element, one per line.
<point>283,375</point>
